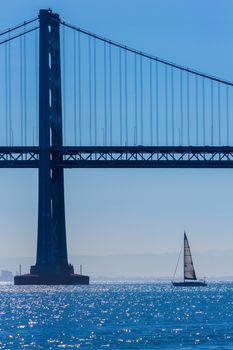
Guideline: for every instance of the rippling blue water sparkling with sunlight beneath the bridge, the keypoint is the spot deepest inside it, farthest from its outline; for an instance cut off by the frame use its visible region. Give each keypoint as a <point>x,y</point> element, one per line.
<point>117,316</point>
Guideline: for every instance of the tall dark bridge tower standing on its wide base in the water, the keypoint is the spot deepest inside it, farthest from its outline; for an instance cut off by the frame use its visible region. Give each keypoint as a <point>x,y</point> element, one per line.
<point>52,265</point>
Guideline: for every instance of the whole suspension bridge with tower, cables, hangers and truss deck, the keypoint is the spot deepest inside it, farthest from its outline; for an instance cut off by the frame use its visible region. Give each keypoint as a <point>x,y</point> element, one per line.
<point>74,99</point>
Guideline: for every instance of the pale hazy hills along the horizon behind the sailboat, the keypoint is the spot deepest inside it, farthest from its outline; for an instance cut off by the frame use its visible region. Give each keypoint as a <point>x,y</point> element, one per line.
<point>143,266</point>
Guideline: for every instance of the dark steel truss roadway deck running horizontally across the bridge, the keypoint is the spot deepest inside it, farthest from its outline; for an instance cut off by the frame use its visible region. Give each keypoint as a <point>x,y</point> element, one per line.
<point>121,157</point>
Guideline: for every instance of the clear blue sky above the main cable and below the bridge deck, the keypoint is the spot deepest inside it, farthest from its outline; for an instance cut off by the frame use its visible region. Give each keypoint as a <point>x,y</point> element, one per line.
<point>144,211</point>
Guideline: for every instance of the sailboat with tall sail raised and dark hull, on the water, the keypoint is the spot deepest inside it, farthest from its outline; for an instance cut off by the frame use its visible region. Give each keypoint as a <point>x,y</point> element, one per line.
<point>190,279</point>
